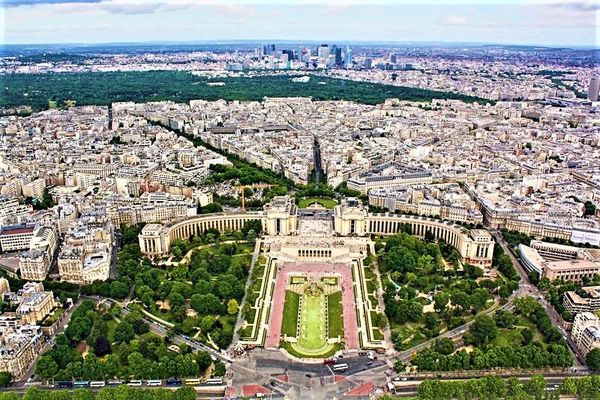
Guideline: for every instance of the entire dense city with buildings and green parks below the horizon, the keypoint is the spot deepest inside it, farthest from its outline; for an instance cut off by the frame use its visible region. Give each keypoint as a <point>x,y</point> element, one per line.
<point>299,219</point>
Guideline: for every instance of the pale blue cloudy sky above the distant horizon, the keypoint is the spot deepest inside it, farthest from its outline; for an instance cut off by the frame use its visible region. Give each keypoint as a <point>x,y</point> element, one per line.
<point>538,22</point>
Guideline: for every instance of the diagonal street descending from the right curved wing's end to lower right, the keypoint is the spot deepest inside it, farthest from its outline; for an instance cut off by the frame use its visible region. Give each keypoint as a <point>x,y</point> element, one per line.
<point>533,291</point>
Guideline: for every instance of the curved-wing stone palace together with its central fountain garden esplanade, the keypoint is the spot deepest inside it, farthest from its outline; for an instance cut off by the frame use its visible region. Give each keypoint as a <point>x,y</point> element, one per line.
<point>311,293</point>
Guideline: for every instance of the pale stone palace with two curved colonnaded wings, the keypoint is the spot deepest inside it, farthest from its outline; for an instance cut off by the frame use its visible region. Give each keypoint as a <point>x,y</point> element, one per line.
<point>280,218</point>
